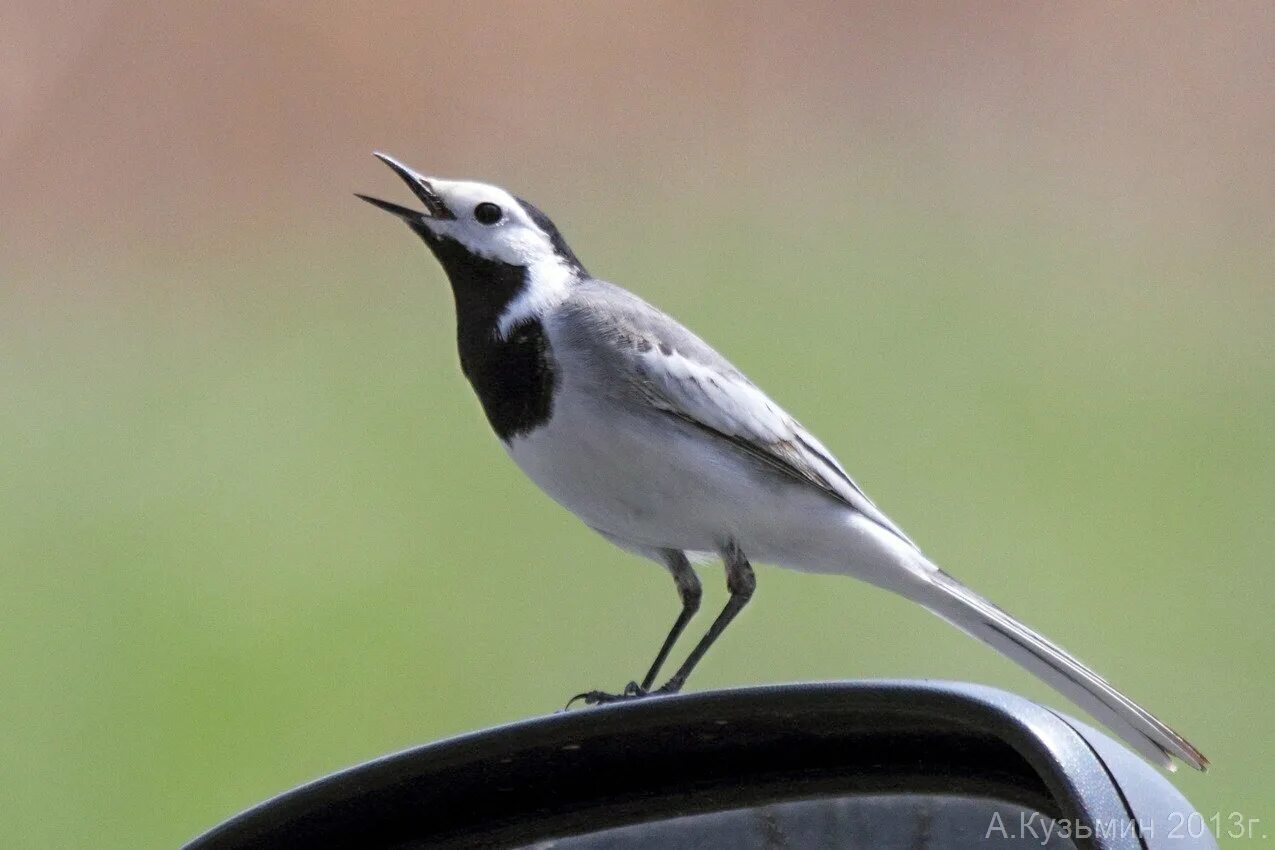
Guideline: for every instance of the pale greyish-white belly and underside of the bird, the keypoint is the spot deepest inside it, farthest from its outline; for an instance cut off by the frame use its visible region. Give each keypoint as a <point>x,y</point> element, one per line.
<point>667,486</point>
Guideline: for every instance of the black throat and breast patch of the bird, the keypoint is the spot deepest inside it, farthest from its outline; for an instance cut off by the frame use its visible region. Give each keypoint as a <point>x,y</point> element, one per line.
<point>513,378</point>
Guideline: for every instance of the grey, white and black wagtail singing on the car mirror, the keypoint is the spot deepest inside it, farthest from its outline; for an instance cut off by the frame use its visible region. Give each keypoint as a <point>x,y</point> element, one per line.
<point>657,443</point>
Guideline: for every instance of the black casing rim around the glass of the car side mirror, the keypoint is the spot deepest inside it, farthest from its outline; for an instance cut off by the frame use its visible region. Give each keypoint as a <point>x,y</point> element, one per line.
<point>666,758</point>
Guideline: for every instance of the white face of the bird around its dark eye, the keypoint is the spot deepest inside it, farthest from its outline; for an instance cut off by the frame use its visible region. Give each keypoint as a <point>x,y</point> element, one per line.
<point>490,222</point>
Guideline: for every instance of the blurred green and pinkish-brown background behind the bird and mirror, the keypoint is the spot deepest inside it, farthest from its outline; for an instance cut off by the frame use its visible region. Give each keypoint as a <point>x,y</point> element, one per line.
<point>254,528</point>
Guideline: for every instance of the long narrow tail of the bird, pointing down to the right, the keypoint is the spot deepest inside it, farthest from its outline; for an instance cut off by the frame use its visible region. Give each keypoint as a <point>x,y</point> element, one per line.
<point>973,615</point>
